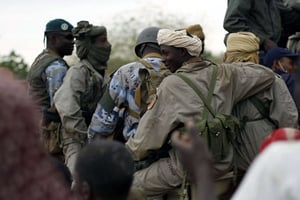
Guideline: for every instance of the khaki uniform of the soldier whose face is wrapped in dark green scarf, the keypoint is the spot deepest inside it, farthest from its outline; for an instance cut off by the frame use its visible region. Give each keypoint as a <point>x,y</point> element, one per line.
<point>75,102</point>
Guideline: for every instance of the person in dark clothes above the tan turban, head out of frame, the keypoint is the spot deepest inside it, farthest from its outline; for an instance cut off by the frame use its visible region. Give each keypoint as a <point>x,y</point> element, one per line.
<point>261,17</point>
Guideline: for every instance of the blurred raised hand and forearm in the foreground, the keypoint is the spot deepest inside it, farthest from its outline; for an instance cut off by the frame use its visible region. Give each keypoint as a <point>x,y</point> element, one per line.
<point>196,159</point>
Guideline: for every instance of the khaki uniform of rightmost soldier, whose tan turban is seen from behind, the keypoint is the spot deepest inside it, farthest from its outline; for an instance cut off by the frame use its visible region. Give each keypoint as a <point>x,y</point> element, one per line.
<point>283,112</point>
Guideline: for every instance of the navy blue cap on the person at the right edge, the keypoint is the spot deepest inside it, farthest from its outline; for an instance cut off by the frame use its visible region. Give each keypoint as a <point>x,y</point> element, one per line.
<point>276,54</point>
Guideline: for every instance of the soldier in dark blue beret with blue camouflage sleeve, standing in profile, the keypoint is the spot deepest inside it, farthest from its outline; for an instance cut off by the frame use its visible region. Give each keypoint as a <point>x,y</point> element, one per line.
<point>46,76</point>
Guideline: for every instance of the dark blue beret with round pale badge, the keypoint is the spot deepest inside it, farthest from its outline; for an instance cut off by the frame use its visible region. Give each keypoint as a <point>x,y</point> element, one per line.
<point>58,25</point>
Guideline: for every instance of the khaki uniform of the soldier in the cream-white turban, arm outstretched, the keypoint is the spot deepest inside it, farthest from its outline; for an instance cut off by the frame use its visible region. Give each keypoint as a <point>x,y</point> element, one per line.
<point>176,103</point>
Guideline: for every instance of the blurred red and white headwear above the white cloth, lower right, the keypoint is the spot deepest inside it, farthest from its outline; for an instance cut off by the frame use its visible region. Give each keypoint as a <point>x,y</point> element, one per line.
<point>282,134</point>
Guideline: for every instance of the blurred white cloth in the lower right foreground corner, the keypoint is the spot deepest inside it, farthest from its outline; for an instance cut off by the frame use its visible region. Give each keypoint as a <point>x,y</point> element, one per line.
<point>274,175</point>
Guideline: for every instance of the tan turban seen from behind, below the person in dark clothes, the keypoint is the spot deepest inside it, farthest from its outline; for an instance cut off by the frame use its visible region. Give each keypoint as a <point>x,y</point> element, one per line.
<point>242,47</point>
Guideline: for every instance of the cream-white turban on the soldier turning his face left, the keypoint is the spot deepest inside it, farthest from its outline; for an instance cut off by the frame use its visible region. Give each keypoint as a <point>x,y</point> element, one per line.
<point>180,39</point>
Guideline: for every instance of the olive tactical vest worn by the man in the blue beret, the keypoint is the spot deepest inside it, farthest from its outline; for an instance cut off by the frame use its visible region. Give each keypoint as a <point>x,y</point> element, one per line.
<point>37,77</point>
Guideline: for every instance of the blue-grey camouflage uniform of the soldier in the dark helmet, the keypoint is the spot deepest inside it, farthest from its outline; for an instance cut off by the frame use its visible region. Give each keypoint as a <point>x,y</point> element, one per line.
<point>122,92</point>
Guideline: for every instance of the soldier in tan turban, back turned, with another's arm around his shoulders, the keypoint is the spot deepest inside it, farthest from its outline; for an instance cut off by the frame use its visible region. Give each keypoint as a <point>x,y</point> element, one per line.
<point>262,113</point>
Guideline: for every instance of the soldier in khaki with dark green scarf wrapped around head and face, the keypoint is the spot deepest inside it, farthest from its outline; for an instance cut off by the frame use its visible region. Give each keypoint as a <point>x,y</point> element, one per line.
<point>82,88</point>
